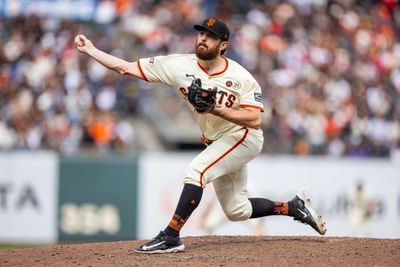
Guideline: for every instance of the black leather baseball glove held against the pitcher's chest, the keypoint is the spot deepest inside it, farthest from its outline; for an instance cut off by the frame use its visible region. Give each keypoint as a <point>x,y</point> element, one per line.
<point>203,100</point>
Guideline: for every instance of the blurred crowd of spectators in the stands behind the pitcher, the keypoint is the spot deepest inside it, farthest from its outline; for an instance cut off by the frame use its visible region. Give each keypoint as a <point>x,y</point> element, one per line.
<point>329,70</point>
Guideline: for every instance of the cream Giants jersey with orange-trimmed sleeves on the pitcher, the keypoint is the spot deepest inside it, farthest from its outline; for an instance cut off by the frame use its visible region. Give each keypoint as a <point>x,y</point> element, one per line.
<point>236,87</point>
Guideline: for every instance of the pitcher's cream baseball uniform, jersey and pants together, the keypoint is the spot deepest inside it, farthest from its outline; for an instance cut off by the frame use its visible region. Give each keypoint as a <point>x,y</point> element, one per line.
<point>224,161</point>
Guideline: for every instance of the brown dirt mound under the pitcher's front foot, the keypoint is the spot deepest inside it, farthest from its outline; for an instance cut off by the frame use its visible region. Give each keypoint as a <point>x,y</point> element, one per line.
<point>218,251</point>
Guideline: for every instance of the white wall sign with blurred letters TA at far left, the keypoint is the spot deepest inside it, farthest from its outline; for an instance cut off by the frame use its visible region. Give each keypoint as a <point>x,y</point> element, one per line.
<point>28,197</point>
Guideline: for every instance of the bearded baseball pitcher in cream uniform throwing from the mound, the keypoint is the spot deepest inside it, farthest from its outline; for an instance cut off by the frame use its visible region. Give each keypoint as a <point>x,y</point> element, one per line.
<point>227,103</point>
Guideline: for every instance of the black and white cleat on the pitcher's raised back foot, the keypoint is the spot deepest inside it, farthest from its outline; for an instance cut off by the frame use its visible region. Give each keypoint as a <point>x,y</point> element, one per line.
<point>306,214</point>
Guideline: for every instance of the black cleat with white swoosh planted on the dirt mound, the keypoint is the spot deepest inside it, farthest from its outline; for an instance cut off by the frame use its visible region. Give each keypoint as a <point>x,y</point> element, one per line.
<point>162,243</point>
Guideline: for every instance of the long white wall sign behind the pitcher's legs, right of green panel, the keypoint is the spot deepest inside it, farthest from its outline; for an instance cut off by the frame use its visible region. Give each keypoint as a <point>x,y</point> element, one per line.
<point>330,183</point>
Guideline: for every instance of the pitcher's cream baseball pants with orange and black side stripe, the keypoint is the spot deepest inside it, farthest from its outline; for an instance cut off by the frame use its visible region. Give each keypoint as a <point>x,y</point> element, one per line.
<point>224,163</point>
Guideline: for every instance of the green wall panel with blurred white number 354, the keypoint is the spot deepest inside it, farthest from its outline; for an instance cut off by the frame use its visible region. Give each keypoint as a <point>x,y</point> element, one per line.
<point>98,198</point>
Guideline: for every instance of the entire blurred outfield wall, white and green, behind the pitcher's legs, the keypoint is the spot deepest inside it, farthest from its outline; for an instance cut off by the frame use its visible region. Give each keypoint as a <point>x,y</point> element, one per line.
<point>45,199</point>
